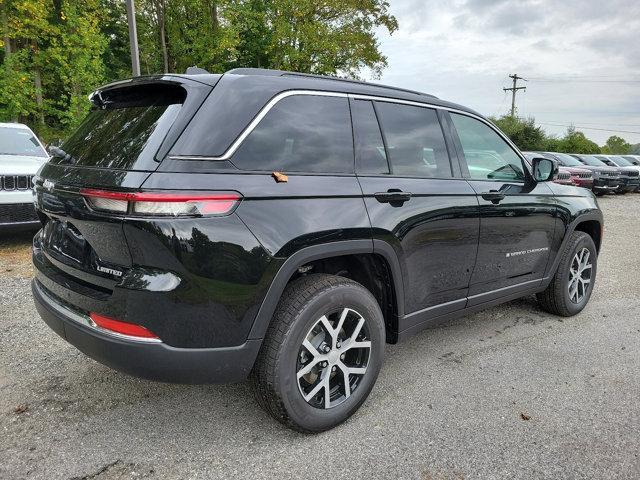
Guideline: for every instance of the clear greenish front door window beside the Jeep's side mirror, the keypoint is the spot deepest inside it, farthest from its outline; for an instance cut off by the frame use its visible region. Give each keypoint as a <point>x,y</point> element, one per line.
<point>487,155</point>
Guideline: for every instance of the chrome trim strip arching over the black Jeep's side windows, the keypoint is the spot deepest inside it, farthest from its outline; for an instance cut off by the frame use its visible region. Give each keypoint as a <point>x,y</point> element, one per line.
<point>319,93</point>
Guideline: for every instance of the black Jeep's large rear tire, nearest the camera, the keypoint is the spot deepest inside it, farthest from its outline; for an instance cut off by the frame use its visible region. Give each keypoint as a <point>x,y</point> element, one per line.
<point>274,377</point>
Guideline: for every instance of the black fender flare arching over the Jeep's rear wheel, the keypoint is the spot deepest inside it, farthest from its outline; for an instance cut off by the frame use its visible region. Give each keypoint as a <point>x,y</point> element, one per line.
<point>317,252</point>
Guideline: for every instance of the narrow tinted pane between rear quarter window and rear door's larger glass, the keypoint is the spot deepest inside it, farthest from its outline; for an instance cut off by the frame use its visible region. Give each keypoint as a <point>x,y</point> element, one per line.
<point>370,154</point>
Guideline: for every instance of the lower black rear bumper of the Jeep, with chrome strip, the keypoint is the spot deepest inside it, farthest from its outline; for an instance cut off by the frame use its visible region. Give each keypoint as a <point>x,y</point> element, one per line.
<point>150,360</point>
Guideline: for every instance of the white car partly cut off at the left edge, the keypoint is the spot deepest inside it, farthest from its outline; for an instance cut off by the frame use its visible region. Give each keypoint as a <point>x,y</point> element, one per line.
<point>21,155</point>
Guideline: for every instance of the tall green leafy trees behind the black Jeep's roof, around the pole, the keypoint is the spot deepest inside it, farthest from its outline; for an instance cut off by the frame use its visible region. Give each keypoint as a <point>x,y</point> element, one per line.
<point>55,52</point>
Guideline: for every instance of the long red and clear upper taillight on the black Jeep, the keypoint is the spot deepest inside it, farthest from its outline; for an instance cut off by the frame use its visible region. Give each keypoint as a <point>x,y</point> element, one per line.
<point>162,203</point>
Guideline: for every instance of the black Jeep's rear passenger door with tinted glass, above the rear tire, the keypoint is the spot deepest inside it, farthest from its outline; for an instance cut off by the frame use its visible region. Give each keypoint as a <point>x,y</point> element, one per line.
<point>416,204</point>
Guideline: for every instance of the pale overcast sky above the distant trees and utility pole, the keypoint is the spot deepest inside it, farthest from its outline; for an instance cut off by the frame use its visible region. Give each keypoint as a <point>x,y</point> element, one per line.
<point>582,59</point>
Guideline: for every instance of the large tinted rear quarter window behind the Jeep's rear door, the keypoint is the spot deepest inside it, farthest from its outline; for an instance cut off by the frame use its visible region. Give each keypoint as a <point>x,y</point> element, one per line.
<point>301,133</point>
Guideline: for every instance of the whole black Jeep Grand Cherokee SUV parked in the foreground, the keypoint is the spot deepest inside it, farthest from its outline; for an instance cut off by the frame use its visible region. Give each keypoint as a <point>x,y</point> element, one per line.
<point>284,227</point>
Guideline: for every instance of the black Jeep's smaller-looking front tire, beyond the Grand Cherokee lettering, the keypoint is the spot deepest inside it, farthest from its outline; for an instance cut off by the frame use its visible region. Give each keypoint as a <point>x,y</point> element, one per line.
<point>558,298</point>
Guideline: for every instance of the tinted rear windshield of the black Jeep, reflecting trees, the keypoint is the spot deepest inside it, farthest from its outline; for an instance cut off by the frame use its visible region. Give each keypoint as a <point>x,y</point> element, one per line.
<point>124,129</point>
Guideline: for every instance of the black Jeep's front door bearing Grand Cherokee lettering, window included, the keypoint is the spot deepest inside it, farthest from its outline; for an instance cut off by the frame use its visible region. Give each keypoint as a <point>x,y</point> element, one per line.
<point>517,216</point>
